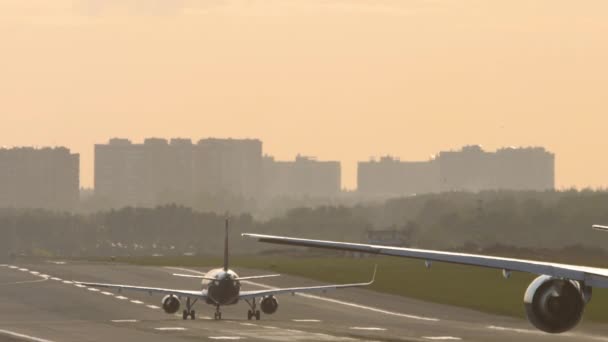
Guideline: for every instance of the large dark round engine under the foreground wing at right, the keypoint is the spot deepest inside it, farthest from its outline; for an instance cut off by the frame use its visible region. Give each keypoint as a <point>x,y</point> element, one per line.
<point>555,305</point>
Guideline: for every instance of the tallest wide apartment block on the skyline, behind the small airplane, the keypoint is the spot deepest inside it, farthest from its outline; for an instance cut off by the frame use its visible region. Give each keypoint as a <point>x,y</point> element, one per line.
<point>159,170</point>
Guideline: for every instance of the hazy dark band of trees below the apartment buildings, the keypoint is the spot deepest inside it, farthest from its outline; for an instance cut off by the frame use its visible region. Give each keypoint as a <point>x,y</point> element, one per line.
<point>473,222</point>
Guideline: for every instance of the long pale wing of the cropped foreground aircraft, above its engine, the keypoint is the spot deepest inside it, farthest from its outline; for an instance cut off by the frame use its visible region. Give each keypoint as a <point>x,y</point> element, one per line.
<point>595,277</point>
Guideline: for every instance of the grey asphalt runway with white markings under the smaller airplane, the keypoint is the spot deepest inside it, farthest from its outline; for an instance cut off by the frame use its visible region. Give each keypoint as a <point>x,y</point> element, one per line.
<point>39,302</point>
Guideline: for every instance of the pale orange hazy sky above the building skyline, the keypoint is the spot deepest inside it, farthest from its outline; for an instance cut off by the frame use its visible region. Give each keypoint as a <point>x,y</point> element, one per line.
<point>337,79</point>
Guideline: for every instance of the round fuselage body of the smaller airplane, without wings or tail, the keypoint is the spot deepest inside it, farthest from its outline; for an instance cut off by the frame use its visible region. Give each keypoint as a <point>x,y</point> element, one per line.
<point>224,289</point>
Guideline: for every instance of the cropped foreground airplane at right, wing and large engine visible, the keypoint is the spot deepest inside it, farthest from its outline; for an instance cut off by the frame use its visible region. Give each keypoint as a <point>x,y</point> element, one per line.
<point>554,302</point>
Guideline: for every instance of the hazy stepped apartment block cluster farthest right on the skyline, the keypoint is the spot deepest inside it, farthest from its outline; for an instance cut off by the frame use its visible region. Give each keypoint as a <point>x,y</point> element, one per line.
<point>469,169</point>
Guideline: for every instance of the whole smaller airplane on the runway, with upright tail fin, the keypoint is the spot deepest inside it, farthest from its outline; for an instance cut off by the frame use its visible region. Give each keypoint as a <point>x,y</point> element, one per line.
<point>220,287</point>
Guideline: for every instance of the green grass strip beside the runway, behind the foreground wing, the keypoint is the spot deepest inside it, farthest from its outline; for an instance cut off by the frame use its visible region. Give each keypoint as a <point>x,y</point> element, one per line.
<point>465,286</point>
